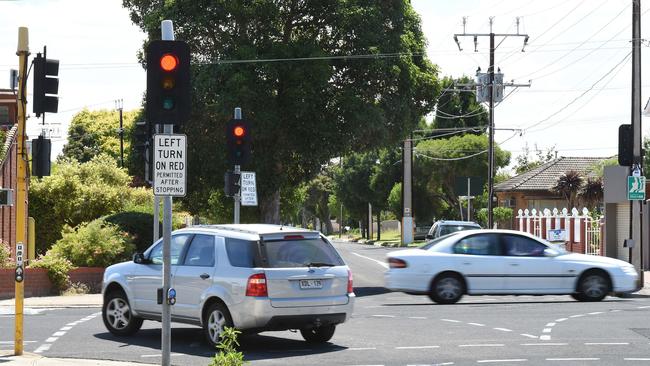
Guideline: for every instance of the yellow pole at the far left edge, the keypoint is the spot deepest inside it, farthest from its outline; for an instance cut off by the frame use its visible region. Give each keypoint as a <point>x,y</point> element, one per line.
<point>21,186</point>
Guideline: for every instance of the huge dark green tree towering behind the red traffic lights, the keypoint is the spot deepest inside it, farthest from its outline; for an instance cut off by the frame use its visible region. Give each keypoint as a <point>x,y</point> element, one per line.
<point>315,103</point>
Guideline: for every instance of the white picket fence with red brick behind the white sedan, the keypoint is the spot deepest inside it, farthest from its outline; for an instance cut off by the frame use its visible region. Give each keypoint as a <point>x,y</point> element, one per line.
<point>576,230</point>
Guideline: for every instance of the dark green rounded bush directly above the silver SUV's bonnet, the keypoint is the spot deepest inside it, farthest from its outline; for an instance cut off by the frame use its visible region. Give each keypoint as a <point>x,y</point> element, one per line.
<point>138,225</point>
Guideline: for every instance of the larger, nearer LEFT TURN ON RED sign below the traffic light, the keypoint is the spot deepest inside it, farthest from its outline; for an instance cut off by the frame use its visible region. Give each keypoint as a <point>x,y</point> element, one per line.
<point>169,165</point>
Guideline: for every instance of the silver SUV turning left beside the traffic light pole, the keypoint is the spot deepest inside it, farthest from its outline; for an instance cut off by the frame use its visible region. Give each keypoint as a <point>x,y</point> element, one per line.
<point>254,277</point>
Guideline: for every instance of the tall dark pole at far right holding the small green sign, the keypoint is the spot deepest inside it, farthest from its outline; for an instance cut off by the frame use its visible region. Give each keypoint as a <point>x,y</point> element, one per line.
<point>636,253</point>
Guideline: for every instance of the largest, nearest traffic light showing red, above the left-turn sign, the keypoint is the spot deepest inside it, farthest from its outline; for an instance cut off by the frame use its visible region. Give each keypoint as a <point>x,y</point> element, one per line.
<point>168,82</point>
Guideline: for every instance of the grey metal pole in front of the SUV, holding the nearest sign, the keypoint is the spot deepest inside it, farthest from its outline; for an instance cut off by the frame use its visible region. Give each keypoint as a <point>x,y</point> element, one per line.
<point>167,29</point>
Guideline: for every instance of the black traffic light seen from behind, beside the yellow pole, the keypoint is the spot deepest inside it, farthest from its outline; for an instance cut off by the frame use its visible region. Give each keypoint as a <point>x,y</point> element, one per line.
<point>46,85</point>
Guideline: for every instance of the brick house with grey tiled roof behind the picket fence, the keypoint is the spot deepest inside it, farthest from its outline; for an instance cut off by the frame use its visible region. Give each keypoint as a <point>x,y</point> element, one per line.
<point>532,189</point>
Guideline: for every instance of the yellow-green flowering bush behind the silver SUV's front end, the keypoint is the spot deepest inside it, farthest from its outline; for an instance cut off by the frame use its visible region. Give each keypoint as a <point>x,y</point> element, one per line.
<point>94,244</point>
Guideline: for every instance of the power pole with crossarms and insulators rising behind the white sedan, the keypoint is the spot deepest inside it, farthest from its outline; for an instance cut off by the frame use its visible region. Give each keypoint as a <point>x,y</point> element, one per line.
<point>491,91</point>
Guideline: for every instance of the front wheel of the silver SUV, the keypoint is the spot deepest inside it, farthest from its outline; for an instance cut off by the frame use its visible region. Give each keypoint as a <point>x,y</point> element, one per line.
<point>117,315</point>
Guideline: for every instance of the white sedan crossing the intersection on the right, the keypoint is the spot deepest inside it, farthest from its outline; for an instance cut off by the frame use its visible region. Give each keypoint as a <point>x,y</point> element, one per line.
<point>504,262</point>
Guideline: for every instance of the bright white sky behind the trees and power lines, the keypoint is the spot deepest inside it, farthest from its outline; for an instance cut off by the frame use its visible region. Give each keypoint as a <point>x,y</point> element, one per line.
<point>577,61</point>
